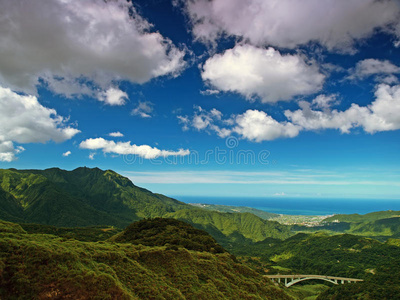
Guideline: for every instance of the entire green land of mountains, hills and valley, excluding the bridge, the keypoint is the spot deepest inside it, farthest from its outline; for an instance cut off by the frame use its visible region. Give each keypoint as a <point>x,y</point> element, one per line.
<point>89,229</point>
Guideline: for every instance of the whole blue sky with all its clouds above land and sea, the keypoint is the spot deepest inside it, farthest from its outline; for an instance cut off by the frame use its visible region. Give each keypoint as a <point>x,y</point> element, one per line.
<point>207,98</point>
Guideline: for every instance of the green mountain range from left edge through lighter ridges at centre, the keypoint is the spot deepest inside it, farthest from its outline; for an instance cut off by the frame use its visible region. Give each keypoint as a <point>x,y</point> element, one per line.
<point>92,197</point>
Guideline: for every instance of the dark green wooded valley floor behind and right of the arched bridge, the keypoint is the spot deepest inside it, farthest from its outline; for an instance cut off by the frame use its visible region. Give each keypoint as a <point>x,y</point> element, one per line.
<point>341,255</point>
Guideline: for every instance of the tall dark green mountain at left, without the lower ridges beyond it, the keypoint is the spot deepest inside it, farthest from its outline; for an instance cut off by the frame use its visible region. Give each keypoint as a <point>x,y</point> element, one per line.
<point>80,197</point>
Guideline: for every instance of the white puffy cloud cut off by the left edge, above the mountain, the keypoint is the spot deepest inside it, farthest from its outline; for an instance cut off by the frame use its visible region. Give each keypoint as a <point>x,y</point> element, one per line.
<point>24,120</point>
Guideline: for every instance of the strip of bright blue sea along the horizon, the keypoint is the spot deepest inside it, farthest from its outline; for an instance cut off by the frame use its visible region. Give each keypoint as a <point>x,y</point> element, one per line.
<point>301,206</point>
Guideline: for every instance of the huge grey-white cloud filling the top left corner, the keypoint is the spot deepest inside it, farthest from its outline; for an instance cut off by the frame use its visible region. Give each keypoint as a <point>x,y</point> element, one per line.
<point>80,47</point>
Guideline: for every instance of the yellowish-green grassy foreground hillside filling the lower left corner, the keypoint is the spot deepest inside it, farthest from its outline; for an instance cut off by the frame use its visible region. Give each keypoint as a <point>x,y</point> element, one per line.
<point>44,266</point>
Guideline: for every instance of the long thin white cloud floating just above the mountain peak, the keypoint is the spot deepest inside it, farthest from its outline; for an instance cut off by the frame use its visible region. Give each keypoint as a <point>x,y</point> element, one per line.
<point>125,148</point>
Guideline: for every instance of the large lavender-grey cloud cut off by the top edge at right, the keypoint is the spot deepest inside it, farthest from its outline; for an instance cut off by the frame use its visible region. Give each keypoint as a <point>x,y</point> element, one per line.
<point>334,24</point>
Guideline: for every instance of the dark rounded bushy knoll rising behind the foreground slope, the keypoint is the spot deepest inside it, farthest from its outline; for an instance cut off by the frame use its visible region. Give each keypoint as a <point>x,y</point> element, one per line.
<point>168,232</point>
